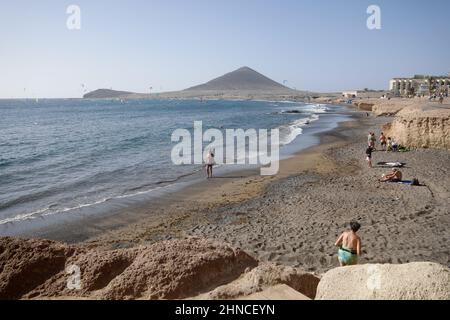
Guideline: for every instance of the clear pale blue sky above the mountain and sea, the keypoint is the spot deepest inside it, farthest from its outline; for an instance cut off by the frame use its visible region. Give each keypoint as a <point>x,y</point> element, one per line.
<point>317,45</point>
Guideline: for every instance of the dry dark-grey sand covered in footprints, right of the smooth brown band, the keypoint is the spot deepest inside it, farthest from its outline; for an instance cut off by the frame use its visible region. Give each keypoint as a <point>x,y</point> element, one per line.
<point>298,219</point>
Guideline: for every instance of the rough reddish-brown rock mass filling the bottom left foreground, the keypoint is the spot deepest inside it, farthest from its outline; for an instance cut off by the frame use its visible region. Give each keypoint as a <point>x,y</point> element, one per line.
<point>165,270</point>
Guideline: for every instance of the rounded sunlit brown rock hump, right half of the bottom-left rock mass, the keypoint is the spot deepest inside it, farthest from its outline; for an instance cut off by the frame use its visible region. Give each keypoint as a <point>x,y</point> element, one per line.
<point>178,269</point>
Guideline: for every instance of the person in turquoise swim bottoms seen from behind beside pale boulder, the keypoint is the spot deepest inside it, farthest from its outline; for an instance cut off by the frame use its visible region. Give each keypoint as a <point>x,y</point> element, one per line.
<point>349,244</point>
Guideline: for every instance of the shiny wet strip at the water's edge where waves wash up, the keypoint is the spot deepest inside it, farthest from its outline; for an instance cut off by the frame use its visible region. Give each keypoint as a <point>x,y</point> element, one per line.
<point>79,225</point>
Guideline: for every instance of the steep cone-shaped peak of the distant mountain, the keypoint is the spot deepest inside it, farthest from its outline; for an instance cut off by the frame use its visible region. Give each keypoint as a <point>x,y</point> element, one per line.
<point>243,79</point>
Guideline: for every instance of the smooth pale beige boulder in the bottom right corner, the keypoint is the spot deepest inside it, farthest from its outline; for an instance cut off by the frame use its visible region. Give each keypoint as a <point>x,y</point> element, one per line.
<point>412,281</point>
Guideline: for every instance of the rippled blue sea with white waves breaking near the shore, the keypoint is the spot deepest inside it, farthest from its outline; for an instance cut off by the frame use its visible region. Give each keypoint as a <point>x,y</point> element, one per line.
<point>62,156</point>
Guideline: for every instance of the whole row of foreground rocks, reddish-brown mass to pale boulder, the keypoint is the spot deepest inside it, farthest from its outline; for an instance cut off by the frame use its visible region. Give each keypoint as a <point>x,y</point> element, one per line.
<point>194,267</point>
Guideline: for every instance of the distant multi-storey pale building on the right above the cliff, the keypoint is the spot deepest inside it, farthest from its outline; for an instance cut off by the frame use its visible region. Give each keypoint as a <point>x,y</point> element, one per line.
<point>420,85</point>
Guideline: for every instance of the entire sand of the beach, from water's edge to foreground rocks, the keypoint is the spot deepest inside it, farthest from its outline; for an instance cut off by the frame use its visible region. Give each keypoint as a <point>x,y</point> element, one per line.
<point>295,217</point>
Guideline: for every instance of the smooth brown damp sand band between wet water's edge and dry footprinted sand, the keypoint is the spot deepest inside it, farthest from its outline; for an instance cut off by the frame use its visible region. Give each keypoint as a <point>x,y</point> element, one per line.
<point>162,215</point>
